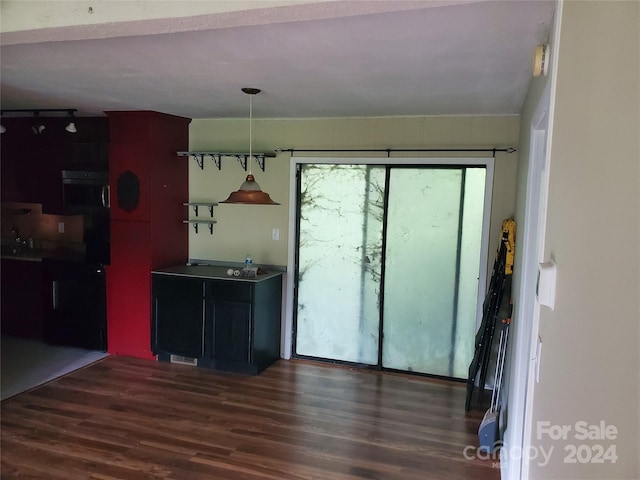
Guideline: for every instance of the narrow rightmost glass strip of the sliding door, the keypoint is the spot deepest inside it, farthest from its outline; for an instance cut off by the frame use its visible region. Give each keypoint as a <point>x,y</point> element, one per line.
<point>467,315</point>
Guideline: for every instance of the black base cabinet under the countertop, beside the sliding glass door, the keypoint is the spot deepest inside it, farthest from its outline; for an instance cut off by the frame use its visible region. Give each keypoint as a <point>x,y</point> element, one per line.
<point>225,324</point>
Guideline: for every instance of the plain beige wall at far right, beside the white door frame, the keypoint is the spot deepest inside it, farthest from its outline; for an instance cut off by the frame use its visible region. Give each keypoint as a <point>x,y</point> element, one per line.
<point>589,362</point>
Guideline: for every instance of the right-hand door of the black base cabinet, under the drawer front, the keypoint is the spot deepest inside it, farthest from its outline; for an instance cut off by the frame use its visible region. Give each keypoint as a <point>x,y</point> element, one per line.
<point>232,336</point>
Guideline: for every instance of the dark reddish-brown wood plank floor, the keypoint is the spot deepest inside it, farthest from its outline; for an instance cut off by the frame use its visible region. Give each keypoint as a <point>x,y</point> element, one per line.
<point>123,418</point>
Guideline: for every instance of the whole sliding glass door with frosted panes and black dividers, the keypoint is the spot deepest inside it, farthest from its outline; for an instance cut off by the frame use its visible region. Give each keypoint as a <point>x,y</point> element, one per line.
<point>388,264</point>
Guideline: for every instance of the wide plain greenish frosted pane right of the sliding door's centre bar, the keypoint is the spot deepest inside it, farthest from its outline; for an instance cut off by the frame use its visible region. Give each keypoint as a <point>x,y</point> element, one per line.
<point>420,270</point>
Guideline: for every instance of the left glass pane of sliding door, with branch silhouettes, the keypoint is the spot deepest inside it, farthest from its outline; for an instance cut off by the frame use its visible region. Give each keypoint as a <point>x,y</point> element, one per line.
<point>340,242</point>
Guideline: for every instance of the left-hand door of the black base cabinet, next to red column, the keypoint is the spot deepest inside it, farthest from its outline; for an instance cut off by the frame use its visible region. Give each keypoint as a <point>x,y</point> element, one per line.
<point>178,316</point>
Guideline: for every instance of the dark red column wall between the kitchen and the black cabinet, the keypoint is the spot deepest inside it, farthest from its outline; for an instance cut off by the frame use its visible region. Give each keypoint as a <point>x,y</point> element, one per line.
<point>152,234</point>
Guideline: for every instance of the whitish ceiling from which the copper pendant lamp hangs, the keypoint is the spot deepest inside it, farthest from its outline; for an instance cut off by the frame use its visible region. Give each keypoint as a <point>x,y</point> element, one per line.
<point>331,59</point>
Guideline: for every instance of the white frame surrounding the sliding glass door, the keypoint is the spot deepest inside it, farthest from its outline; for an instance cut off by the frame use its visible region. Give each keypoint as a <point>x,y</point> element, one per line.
<point>487,162</point>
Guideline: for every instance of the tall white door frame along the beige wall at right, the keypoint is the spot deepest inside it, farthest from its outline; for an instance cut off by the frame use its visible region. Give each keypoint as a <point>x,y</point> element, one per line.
<point>525,356</point>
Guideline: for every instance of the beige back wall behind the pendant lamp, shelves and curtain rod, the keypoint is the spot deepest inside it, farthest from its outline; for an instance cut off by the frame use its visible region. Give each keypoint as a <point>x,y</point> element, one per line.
<point>243,229</point>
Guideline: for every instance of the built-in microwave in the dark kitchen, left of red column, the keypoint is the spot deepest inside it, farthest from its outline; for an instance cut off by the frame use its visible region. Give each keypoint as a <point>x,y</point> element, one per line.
<point>85,191</point>
